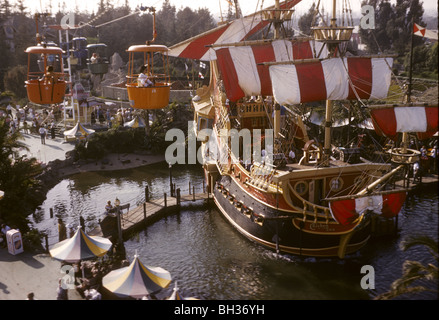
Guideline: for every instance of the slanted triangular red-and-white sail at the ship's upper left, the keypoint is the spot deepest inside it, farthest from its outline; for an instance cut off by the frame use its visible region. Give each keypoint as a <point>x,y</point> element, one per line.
<point>231,32</point>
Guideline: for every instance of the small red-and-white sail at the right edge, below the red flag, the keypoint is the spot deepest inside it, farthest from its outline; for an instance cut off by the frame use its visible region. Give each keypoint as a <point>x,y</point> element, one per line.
<point>391,120</point>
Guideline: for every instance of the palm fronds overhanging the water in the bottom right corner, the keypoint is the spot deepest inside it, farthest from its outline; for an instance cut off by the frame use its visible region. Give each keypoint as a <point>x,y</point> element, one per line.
<point>414,272</point>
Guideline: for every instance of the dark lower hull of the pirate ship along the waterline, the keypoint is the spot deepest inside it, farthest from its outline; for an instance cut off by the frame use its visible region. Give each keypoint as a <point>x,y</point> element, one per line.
<point>278,231</point>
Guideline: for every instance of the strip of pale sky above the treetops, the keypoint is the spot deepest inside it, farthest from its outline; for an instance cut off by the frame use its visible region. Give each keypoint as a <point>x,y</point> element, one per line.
<point>247,6</point>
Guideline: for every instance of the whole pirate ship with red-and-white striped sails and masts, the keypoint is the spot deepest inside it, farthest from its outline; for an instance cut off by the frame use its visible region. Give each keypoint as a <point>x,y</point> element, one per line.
<point>315,205</point>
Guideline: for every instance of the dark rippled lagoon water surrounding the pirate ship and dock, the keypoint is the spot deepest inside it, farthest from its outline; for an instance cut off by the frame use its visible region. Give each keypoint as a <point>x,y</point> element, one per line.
<point>210,260</point>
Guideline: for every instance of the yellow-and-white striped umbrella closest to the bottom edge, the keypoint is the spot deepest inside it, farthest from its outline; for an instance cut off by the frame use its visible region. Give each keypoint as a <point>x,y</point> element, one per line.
<point>136,280</point>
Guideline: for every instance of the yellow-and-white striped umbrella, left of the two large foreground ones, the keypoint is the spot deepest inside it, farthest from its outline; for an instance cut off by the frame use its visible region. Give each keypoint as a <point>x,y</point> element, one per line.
<point>80,247</point>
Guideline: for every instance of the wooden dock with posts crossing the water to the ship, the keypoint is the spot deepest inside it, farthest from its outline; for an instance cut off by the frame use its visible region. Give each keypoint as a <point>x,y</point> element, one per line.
<point>149,212</point>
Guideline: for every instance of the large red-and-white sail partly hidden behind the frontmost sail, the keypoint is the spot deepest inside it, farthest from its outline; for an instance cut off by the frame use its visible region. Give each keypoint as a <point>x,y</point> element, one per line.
<point>244,76</point>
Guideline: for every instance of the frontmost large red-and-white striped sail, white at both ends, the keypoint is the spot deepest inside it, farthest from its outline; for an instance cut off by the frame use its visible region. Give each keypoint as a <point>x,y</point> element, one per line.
<point>332,79</point>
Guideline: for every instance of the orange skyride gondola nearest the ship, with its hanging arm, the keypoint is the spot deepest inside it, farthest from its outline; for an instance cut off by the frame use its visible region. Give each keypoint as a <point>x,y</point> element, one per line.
<point>156,94</point>
